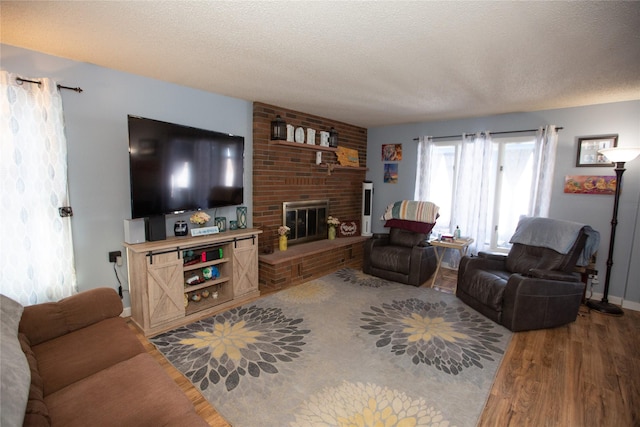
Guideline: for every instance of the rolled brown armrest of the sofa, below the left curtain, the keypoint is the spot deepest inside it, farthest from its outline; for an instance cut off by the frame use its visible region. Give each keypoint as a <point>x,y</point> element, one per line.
<point>46,321</point>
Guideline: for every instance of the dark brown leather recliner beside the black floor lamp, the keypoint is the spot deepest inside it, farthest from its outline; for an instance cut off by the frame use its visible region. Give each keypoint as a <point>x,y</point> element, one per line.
<point>530,288</point>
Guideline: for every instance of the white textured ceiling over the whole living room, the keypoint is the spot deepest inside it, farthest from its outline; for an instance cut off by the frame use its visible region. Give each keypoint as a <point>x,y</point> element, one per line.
<point>364,63</point>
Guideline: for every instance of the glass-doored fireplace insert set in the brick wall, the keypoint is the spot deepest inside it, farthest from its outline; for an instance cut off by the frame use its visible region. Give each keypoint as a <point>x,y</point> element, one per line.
<point>307,220</point>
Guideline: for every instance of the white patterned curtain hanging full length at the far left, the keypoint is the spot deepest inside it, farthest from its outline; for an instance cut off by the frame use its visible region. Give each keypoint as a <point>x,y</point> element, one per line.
<point>36,256</point>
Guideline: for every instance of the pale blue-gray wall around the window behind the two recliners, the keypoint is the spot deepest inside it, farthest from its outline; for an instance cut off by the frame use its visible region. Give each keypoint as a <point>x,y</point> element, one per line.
<point>596,210</point>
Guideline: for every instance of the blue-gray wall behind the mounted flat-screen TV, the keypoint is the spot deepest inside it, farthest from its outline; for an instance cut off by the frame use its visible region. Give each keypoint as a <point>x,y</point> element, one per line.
<point>98,157</point>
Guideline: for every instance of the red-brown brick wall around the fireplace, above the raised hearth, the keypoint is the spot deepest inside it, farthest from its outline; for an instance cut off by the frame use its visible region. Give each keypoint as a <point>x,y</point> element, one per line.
<point>282,173</point>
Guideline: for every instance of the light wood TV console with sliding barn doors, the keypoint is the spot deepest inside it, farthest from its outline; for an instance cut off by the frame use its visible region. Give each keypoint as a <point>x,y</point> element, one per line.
<point>179,280</point>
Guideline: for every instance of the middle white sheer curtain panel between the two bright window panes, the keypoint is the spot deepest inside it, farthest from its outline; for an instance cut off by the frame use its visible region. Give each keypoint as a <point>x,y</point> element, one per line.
<point>471,199</point>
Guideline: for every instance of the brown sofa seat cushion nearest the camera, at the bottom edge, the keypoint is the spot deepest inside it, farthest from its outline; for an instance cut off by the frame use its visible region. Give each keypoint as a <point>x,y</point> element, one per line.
<point>135,392</point>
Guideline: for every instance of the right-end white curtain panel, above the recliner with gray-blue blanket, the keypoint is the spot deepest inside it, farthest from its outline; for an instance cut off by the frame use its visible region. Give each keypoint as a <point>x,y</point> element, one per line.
<point>543,167</point>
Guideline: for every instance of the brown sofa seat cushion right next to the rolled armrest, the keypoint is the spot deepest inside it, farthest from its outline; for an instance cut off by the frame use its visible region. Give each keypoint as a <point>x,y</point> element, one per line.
<point>84,352</point>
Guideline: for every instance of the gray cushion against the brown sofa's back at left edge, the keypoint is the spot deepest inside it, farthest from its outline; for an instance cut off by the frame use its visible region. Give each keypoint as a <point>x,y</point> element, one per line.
<point>14,368</point>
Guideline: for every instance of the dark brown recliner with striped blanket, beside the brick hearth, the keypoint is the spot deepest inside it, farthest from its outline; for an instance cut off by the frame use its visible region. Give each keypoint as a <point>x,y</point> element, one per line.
<point>401,256</point>
